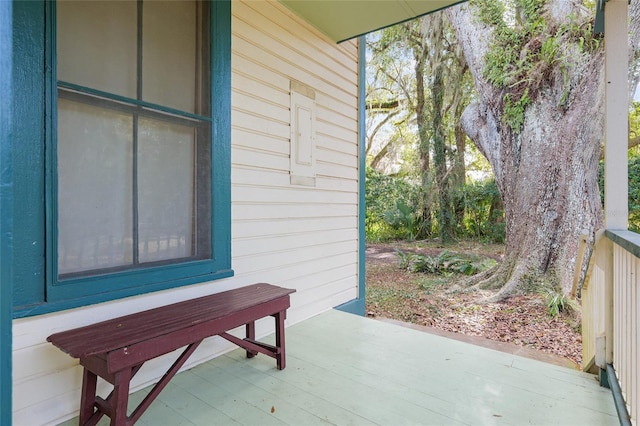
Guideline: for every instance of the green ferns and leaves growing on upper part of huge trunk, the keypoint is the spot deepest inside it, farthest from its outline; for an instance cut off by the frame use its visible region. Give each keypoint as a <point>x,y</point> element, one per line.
<point>526,50</point>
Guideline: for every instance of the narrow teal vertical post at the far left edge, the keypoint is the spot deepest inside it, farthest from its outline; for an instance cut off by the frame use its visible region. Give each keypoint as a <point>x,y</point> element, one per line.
<point>6,207</point>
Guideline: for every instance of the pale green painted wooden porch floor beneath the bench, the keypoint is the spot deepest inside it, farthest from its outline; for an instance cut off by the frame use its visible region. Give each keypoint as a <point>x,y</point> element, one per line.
<point>348,370</point>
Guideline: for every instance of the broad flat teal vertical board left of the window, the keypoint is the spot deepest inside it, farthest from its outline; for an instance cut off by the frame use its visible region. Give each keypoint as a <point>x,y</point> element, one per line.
<point>28,177</point>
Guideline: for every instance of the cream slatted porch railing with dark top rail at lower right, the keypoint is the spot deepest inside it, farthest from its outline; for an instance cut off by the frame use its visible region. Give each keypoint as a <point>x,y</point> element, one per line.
<point>610,319</point>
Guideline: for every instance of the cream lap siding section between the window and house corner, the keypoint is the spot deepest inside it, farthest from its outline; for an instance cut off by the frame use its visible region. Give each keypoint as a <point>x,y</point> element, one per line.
<point>303,236</point>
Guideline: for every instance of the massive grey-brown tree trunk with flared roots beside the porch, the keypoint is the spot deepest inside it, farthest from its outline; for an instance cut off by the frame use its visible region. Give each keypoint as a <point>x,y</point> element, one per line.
<point>547,171</point>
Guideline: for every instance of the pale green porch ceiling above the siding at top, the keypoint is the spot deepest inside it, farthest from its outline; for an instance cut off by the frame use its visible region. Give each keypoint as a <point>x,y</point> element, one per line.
<point>344,19</point>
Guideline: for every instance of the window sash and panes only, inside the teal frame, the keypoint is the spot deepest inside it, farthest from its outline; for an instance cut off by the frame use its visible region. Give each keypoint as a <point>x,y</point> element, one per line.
<point>133,135</point>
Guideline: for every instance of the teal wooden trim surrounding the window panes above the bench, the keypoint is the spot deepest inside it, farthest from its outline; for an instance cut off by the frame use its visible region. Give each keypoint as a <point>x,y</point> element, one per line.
<point>66,294</point>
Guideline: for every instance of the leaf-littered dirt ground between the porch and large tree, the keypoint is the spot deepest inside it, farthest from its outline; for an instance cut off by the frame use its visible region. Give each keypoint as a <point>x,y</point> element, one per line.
<point>424,299</point>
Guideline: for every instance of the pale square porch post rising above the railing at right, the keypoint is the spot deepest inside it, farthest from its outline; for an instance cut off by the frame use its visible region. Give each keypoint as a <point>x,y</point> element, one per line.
<point>616,135</point>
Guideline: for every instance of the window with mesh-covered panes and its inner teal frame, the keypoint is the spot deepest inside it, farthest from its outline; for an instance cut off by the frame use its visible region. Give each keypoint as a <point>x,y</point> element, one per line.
<point>139,130</point>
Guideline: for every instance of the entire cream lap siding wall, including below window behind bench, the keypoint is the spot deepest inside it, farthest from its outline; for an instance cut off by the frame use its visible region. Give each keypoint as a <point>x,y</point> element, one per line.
<point>295,236</point>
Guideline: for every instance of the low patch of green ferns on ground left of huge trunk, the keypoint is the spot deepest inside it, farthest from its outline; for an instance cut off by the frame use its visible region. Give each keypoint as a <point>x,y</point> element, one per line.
<point>445,263</point>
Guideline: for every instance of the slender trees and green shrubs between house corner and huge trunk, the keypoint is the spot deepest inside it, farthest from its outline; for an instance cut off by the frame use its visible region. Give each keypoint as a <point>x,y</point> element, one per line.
<point>418,64</point>
